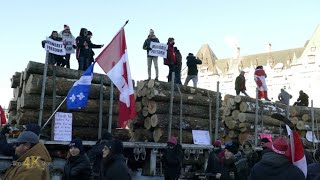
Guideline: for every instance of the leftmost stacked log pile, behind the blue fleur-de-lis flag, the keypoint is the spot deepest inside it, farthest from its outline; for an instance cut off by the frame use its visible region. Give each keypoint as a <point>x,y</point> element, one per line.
<point>25,105</point>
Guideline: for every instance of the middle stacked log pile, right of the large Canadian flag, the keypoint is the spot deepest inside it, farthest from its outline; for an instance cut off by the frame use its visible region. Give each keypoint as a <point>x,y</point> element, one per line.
<point>153,106</point>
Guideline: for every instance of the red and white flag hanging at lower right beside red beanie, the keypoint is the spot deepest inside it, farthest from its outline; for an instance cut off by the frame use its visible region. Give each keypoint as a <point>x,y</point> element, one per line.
<point>298,157</point>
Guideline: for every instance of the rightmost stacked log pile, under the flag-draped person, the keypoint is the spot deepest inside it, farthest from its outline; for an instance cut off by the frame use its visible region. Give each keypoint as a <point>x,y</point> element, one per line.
<point>239,117</point>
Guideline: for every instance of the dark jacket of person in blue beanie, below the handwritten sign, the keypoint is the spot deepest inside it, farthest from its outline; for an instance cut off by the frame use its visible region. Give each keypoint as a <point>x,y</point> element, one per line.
<point>77,168</point>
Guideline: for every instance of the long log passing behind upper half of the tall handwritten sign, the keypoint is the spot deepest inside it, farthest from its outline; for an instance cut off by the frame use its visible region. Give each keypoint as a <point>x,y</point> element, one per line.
<point>79,119</point>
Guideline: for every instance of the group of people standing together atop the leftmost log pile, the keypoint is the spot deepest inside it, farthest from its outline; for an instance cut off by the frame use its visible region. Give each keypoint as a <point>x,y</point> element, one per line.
<point>82,46</point>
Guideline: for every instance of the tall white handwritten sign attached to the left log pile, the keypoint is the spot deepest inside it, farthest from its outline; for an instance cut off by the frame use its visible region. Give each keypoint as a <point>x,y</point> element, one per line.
<point>62,126</point>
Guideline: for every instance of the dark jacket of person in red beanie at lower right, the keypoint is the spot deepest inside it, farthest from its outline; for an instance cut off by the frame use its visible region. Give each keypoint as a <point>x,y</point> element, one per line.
<point>274,166</point>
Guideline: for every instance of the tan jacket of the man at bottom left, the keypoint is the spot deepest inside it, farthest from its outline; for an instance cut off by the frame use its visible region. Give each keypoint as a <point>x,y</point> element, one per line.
<point>33,165</point>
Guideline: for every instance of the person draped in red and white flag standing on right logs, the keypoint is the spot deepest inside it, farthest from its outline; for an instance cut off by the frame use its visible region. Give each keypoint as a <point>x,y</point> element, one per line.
<point>260,78</point>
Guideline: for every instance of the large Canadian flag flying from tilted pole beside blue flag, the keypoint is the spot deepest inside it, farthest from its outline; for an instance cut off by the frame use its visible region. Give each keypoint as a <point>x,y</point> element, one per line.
<point>114,61</point>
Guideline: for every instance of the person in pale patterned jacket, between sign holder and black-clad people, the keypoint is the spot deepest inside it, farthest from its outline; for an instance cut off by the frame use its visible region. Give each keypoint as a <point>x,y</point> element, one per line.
<point>69,42</point>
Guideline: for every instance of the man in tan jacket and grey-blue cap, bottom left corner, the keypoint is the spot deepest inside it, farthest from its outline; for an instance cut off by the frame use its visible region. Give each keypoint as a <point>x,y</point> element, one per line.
<point>32,159</point>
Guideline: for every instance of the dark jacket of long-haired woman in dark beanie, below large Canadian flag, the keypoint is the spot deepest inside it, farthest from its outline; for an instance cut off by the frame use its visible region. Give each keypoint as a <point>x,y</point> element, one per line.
<point>115,168</point>
